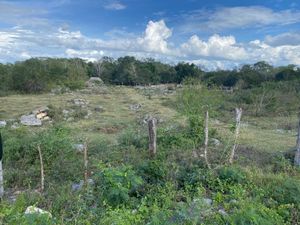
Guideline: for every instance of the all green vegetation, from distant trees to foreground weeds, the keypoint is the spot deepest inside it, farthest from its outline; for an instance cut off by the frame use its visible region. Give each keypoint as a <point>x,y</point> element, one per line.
<point>129,186</point>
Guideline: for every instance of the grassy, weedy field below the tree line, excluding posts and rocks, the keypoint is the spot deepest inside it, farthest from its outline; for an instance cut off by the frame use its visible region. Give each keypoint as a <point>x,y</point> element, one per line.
<point>154,189</point>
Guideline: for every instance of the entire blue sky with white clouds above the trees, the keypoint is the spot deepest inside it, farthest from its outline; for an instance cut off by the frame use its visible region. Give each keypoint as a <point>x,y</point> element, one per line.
<point>213,34</point>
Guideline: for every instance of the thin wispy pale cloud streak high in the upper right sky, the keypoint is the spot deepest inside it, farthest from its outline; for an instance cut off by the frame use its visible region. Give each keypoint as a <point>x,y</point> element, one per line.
<point>238,17</point>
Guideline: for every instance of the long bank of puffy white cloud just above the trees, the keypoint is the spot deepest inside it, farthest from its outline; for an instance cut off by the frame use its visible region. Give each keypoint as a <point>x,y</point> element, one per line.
<point>216,52</point>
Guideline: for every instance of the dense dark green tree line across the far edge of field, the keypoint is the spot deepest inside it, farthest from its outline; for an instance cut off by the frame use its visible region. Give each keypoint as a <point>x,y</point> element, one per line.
<point>37,75</point>
